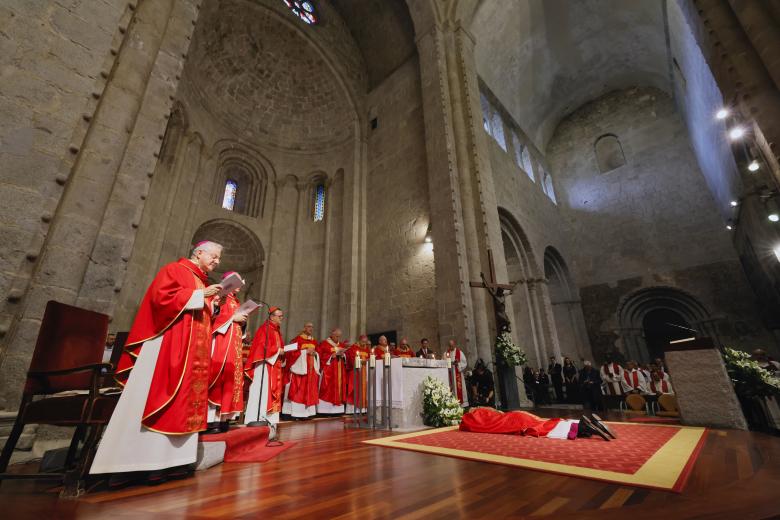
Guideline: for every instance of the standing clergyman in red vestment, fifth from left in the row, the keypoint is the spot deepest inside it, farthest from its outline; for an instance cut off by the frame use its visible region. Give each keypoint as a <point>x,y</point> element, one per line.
<point>333,381</point>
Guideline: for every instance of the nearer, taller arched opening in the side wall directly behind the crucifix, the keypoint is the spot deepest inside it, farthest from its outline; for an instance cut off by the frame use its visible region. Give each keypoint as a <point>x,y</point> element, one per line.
<point>529,322</point>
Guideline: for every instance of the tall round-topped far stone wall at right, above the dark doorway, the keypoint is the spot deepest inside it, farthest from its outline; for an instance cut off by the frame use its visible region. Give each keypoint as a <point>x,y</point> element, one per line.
<point>649,223</point>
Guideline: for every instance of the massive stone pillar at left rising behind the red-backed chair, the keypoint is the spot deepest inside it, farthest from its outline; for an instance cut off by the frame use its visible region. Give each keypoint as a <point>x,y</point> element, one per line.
<point>119,149</point>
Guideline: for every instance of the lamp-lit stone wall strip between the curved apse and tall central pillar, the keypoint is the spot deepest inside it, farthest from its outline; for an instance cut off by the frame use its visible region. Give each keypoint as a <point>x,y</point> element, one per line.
<point>400,266</point>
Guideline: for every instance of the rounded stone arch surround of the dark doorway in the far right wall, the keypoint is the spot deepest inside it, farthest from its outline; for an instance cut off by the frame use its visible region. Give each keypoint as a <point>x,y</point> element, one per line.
<point>634,307</point>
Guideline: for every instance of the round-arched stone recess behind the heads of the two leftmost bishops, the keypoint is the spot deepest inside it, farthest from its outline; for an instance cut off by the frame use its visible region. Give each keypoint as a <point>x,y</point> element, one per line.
<point>242,253</point>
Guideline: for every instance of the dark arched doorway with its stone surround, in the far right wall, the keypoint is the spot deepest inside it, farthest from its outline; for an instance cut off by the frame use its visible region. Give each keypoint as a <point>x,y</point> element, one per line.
<point>658,310</point>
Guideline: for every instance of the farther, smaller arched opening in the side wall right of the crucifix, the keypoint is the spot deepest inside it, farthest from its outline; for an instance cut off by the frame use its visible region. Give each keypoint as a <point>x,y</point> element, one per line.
<point>566,306</point>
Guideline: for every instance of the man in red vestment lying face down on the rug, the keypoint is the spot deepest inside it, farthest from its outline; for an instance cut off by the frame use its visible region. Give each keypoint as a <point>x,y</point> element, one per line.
<point>489,420</point>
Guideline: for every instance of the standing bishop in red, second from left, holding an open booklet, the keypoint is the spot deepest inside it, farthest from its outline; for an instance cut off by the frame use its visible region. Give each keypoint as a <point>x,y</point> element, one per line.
<point>226,371</point>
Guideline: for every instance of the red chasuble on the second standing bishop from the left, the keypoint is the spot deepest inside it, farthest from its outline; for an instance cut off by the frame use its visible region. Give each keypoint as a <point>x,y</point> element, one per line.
<point>226,372</point>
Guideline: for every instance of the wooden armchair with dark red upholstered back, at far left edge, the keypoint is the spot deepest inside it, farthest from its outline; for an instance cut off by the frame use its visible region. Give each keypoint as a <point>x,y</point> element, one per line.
<point>66,361</point>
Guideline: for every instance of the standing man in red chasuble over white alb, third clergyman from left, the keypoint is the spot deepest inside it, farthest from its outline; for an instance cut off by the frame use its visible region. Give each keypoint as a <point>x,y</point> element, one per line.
<point>264,368</point>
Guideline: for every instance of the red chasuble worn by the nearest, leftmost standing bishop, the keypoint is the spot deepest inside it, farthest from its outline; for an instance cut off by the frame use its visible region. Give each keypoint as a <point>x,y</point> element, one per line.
<point>177,397</point>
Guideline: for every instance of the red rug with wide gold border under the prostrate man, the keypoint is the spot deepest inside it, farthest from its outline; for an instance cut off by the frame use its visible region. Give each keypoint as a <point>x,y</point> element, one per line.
<point>647,455</point>
